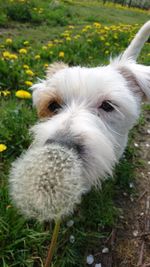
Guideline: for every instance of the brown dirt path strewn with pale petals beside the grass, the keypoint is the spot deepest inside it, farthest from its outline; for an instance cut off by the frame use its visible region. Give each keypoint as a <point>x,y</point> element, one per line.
<point>129,244</point>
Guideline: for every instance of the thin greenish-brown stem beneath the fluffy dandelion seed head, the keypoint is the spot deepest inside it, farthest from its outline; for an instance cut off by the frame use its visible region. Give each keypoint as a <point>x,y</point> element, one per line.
<point>53,243</point>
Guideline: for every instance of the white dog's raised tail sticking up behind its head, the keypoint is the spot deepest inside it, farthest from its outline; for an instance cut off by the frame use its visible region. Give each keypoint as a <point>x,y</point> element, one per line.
<point>137,43</point>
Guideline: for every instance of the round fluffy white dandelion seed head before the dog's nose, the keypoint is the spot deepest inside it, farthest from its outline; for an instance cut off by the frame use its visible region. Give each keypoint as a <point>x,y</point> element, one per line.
<point>46,182</point>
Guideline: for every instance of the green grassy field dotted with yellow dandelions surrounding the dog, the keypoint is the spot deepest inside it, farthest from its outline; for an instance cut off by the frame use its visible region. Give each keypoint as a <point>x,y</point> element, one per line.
<point>34,34</point>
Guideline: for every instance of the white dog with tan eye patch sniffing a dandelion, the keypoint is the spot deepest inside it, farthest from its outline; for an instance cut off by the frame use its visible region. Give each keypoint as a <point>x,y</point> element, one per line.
<point>91,110</point>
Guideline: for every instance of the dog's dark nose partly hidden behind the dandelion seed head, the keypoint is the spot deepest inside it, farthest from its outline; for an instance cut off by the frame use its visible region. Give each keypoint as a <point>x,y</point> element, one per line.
<point>67,143</point>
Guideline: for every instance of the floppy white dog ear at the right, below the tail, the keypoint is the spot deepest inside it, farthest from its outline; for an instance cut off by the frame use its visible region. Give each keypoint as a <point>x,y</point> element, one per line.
<point>137,77</point>
